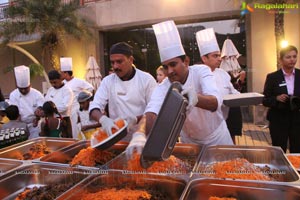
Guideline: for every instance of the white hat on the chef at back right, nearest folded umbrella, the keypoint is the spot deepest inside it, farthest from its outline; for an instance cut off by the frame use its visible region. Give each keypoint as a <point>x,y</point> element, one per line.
<point>207,41</point>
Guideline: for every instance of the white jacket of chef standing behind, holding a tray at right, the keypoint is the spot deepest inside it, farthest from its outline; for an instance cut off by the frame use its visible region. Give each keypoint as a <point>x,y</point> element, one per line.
<point>225,87</point>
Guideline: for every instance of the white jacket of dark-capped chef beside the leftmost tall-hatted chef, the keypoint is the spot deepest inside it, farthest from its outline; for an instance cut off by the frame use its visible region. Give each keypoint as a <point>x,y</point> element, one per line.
<point>62,98</point>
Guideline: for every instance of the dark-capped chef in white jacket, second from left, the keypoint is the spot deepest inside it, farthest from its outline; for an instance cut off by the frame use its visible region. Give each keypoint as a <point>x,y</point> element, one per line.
<point>62,96</point>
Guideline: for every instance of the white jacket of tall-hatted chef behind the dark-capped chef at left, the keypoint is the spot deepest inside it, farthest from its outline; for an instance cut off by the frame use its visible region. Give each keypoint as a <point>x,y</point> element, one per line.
<point>77,85</point>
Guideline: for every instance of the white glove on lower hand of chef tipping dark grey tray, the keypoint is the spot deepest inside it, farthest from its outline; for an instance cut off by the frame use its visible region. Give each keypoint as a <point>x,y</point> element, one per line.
<point>137,144</point>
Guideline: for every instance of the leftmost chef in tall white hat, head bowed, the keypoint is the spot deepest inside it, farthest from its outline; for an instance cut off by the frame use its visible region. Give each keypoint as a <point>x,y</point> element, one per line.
<point>27,99</point>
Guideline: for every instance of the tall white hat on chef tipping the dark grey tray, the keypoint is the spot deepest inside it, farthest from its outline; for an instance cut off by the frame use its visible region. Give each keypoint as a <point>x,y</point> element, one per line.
<point>168,40</point>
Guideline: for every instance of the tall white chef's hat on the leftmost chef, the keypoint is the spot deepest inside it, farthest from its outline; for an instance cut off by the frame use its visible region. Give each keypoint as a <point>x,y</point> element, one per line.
<point>22,74</point>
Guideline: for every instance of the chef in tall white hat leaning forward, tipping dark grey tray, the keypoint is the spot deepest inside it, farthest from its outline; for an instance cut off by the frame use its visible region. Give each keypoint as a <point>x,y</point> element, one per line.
<point>204,123</point>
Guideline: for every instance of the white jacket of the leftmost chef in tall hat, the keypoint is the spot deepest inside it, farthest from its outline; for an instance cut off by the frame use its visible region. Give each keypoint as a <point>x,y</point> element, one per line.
<point>27,104</point>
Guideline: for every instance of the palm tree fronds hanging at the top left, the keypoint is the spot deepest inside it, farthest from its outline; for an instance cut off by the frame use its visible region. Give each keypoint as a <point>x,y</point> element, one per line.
<point>52,18</point>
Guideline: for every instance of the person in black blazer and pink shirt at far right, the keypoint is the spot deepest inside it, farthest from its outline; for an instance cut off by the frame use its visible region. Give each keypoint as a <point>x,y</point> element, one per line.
<point>282,93</point>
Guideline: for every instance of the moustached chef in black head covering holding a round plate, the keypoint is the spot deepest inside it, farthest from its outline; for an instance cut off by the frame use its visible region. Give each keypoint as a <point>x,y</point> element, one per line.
<point>127,91</point>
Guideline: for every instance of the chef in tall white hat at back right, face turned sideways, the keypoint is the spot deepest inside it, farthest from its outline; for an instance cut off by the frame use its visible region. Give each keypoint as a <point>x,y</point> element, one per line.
<point>211,56</point>
